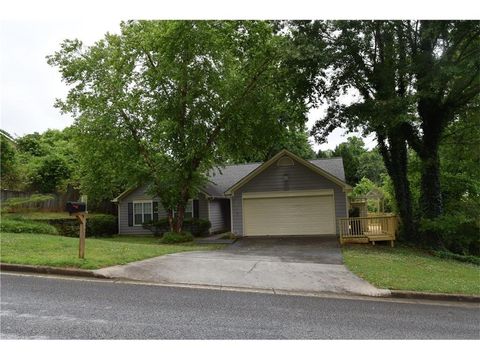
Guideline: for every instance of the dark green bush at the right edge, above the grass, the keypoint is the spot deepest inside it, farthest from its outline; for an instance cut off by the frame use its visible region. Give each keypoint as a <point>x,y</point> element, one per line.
<point>459,234</point>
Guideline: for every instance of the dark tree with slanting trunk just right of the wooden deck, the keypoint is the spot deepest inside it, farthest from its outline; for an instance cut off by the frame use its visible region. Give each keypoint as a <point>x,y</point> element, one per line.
<point>366,61</point>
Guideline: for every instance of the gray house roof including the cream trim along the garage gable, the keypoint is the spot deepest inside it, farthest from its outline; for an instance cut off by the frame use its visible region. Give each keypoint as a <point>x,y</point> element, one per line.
<point>223,179</point>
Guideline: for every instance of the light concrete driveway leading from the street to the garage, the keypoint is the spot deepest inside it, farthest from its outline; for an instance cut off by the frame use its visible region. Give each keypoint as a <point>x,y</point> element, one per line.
<point>277,264</point>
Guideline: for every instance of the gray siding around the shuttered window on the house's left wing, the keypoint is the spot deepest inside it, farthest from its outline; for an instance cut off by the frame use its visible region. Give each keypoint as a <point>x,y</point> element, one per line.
<point>138,195</point>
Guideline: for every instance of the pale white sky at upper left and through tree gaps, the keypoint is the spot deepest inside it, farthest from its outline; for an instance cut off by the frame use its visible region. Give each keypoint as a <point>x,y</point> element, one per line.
<point>29,86</point>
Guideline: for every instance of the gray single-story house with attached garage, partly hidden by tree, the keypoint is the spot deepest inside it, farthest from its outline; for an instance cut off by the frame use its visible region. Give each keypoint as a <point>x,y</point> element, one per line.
<point>285,195</point>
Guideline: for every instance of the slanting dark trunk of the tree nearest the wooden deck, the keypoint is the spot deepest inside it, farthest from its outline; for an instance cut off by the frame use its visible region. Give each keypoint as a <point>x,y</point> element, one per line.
<point>396,161</point>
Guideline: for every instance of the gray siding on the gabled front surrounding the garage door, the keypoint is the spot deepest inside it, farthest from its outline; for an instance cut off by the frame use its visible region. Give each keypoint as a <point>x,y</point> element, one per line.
<point>272,179</point>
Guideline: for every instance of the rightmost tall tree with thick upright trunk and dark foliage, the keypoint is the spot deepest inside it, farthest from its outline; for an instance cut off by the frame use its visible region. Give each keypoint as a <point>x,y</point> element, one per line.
<point>445,61</point>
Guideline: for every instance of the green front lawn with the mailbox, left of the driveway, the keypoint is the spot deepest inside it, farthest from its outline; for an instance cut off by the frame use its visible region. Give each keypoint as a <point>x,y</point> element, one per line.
<point>51,250</point>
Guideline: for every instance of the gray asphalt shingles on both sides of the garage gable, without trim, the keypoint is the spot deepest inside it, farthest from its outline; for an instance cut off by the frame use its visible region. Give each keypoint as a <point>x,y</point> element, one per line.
<point>223,178</point>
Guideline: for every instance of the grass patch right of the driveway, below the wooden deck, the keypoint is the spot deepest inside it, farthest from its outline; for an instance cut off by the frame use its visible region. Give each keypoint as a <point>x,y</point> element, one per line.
<point>406,268</point>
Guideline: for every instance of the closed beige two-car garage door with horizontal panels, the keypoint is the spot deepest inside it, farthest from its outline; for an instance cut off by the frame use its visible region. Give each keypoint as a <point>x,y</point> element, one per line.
<point>289,215</point>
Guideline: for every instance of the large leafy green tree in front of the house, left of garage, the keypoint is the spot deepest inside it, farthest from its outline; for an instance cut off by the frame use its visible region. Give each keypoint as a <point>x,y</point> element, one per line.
<point>170,100</point>
